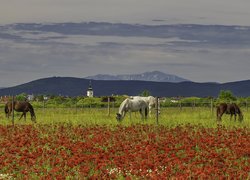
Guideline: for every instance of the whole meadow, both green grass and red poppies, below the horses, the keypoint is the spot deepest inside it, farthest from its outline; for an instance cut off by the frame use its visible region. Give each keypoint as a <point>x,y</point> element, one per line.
<point>79,143</point>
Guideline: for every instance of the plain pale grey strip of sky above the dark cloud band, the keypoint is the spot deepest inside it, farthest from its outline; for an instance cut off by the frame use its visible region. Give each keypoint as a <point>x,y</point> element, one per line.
<point>226,12</point>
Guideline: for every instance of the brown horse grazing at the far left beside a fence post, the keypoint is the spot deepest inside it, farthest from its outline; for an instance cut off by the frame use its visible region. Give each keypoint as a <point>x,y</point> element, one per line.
<point>20,106</point>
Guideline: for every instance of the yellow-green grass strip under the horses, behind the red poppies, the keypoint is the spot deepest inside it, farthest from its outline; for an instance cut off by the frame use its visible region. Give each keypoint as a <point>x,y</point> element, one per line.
<point>170,117</point>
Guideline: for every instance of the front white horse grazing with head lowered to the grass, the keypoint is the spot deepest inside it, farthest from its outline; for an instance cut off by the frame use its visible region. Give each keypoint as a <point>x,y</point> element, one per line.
<point>132,105</point>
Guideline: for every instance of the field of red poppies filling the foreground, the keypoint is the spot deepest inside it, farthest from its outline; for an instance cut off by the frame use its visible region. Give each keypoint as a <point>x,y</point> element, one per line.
<point>138,151</point>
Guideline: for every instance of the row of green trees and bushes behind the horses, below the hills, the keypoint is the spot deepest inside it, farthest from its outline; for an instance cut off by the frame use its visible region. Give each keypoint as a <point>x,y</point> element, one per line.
<point>115,101</point>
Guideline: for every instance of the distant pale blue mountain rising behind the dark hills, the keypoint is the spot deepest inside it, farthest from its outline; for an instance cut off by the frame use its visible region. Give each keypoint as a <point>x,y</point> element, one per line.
<point>155,76</point>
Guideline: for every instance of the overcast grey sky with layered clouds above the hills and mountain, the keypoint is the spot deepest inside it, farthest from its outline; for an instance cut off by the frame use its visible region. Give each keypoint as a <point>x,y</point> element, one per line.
<point>27,54</point>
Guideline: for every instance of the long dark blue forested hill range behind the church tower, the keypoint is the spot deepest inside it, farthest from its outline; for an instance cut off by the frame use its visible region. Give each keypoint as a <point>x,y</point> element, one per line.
<point>68,86</point>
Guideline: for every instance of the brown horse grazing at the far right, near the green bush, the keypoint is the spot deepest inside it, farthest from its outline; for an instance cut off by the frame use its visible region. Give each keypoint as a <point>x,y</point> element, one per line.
<point>231,109</point>
